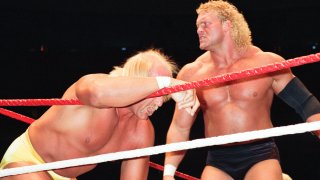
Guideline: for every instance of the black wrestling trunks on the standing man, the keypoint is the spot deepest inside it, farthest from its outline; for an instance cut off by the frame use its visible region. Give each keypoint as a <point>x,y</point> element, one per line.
<point>238,159</point>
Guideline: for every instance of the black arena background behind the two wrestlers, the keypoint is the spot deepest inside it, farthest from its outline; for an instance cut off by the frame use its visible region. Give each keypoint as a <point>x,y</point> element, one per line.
<point>47,45</point>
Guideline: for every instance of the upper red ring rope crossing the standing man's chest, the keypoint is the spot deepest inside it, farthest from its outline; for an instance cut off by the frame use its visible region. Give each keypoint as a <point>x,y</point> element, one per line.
<point>195,84</point>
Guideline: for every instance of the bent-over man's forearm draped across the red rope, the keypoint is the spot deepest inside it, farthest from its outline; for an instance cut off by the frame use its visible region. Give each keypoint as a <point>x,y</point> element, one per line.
<point>103,91</point>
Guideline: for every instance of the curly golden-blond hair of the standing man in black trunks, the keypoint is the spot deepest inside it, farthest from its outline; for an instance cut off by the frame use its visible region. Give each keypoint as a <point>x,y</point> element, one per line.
<point>224,10</point>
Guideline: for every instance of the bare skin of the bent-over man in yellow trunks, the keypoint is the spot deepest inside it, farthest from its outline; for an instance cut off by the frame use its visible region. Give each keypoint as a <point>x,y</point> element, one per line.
<point>114,117</point>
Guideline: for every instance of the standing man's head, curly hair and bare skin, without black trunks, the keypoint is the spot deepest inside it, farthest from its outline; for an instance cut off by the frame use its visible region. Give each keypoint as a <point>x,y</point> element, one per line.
<point>234,106</point>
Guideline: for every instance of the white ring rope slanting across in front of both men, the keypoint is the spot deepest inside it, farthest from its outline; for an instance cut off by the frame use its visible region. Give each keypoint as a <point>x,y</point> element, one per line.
<point>197,143</point>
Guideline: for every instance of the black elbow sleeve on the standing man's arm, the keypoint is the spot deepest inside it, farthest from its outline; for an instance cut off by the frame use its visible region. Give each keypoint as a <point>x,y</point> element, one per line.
<point>296,95</point>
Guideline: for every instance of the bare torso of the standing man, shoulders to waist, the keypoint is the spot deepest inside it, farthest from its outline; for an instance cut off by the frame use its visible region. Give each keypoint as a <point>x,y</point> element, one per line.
<point>249,100</point>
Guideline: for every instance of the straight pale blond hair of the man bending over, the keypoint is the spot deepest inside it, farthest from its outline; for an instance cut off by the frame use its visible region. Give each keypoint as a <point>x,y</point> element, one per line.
<point>140,64</point>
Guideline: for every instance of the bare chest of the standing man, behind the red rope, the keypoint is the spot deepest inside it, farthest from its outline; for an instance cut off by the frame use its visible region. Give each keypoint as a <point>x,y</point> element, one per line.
<point>242,90</point>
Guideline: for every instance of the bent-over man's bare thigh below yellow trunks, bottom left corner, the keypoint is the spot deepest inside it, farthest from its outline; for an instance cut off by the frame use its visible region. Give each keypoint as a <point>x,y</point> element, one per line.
<point>33,176</point>
